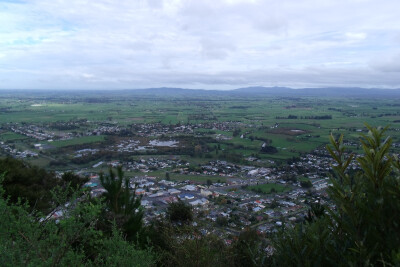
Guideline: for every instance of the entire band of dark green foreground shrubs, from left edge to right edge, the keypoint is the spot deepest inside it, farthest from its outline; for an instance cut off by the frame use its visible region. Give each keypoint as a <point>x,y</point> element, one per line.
<point>359,228</point>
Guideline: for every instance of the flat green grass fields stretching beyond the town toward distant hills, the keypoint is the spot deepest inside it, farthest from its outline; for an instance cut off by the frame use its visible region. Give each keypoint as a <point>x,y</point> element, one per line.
<point>262,118</point>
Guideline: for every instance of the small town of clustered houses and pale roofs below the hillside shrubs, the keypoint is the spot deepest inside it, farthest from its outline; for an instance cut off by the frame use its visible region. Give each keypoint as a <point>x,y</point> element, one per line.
<point>238,196</point>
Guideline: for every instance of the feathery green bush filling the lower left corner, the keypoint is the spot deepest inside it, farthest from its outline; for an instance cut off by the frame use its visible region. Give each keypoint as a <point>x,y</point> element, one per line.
<point>31,239</point>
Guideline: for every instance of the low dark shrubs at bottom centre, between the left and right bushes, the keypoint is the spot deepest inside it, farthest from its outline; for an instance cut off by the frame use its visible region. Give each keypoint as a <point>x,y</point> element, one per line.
<point>185,245</point>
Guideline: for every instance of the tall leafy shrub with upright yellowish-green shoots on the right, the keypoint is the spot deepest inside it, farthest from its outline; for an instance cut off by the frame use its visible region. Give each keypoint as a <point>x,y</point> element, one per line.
<point>363,228</point>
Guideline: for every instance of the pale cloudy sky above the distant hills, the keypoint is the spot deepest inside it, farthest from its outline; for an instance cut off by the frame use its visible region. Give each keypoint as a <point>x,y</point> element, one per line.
<point>202,44</point>
